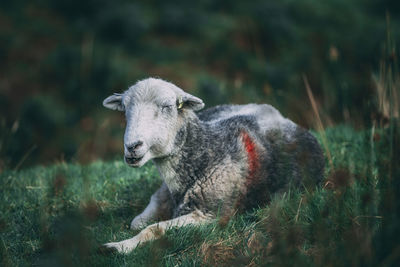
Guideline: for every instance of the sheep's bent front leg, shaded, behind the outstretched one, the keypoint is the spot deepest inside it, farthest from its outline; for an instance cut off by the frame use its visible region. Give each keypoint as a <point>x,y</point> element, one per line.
<point>159,208</point>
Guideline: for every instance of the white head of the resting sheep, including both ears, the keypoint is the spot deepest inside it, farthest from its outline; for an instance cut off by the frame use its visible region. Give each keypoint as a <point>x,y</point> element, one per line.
<point>155,110</point>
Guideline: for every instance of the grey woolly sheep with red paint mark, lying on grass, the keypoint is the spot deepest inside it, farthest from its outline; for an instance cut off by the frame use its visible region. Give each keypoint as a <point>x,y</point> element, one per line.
<point>213,163</point>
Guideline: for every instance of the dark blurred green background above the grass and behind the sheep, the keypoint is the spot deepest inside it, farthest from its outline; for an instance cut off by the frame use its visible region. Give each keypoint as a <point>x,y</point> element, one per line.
<point>60,59</point>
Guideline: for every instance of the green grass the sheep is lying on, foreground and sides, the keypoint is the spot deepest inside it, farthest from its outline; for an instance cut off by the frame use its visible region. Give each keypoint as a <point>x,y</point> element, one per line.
<point>59,215</point>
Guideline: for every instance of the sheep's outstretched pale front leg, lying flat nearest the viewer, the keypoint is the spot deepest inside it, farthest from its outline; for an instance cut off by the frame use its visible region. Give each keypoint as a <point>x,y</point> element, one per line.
<point>156,230</point>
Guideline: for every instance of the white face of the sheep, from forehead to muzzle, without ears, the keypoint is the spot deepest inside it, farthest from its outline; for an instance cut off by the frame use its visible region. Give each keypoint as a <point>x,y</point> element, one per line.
<point>150,128</point>
